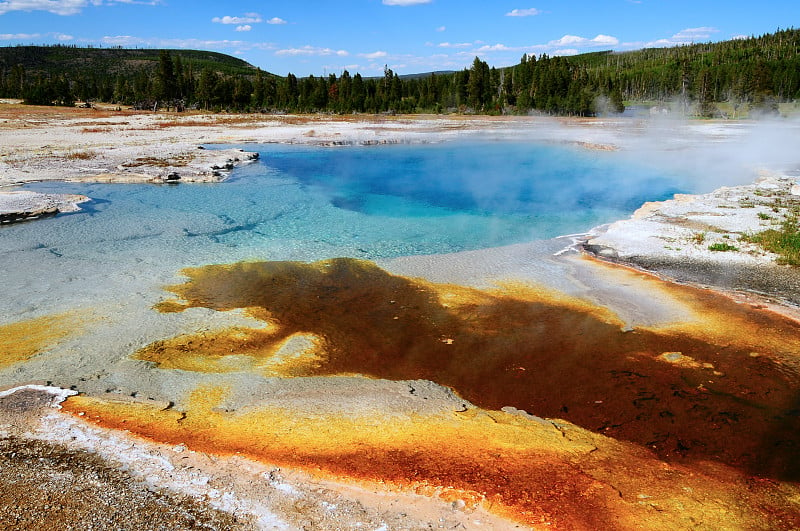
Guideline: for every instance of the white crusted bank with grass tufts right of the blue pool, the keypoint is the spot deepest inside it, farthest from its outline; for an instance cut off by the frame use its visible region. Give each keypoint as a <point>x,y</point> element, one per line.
<point>679,239</point>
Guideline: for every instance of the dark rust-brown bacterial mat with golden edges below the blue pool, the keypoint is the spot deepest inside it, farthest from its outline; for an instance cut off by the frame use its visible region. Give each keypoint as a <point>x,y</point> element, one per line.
<point>683,391</point>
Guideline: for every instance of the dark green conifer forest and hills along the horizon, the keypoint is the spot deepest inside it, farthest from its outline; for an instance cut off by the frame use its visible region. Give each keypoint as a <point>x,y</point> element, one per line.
<point>757,72</point>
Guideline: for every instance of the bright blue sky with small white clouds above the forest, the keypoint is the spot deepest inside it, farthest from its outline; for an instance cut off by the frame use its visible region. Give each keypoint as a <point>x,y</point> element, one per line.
<point>321,37</point>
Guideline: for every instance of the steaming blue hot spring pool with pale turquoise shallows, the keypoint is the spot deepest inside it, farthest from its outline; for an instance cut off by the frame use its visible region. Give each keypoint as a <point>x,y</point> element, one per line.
<point>301,202</point>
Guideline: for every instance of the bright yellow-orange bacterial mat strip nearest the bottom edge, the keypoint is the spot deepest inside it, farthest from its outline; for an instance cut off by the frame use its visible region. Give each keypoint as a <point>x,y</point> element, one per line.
<point>534,472</point>
